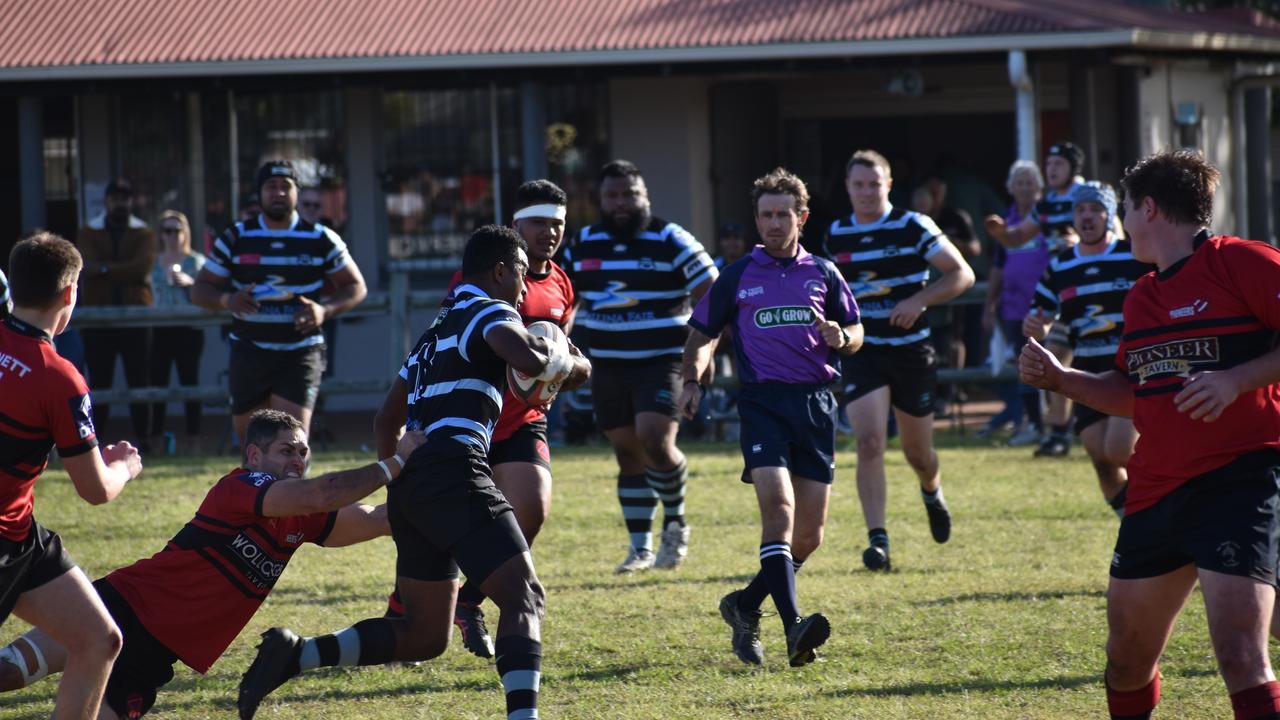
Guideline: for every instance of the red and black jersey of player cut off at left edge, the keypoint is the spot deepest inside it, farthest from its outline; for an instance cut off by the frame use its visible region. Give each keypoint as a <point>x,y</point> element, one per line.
<point>44,403</point>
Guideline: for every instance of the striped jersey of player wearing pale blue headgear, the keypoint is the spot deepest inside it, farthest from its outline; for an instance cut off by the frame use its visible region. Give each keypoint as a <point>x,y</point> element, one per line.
<point>1086,294</point>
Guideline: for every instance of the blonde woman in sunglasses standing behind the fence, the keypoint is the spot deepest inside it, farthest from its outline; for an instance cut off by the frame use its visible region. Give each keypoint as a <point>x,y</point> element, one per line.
<point>179,345</point>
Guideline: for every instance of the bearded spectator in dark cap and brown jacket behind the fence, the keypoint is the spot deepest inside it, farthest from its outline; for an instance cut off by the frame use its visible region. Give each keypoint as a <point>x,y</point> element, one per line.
<point>118,250</point>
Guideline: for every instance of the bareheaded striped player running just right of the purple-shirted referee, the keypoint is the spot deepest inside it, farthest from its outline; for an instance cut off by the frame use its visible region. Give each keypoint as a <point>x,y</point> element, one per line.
<point>886,253</point>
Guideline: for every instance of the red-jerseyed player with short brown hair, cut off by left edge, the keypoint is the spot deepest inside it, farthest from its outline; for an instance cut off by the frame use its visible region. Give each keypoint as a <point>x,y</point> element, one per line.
<point>45,404</point>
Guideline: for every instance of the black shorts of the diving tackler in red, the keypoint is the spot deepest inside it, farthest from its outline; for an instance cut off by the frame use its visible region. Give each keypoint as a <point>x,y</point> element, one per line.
<point>144,666</point>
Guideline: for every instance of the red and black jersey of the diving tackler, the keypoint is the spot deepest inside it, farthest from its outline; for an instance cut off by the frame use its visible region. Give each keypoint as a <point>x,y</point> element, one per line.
<point>198,594</point>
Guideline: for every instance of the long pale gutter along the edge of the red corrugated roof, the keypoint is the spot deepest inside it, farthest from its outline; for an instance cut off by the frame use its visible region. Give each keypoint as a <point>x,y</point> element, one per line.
<point>1131,38</point>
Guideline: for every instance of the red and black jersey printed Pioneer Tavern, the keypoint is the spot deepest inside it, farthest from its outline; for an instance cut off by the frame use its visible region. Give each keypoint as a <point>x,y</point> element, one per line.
<point>1214,311</point>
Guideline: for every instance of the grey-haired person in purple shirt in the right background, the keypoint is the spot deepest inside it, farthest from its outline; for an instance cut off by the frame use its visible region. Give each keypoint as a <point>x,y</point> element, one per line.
<point>1012,285</point>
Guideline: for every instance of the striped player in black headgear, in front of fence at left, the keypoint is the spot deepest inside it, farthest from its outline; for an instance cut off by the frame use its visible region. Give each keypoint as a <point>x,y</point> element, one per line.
<point>272,272</point>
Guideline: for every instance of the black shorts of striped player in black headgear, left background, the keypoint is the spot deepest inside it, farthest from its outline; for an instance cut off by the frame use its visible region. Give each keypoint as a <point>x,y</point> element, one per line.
<point>255,375</point>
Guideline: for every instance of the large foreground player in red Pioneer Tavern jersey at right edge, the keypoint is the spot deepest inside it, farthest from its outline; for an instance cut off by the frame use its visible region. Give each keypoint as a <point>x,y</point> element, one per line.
<point>1197,371</point>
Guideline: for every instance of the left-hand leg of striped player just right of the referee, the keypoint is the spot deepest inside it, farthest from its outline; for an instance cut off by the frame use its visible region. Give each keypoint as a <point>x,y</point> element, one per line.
<point>868,417</point>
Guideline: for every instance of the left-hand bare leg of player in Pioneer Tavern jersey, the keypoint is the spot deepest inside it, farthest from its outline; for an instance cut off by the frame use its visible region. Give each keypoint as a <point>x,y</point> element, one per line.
<point>1141,618</point>
